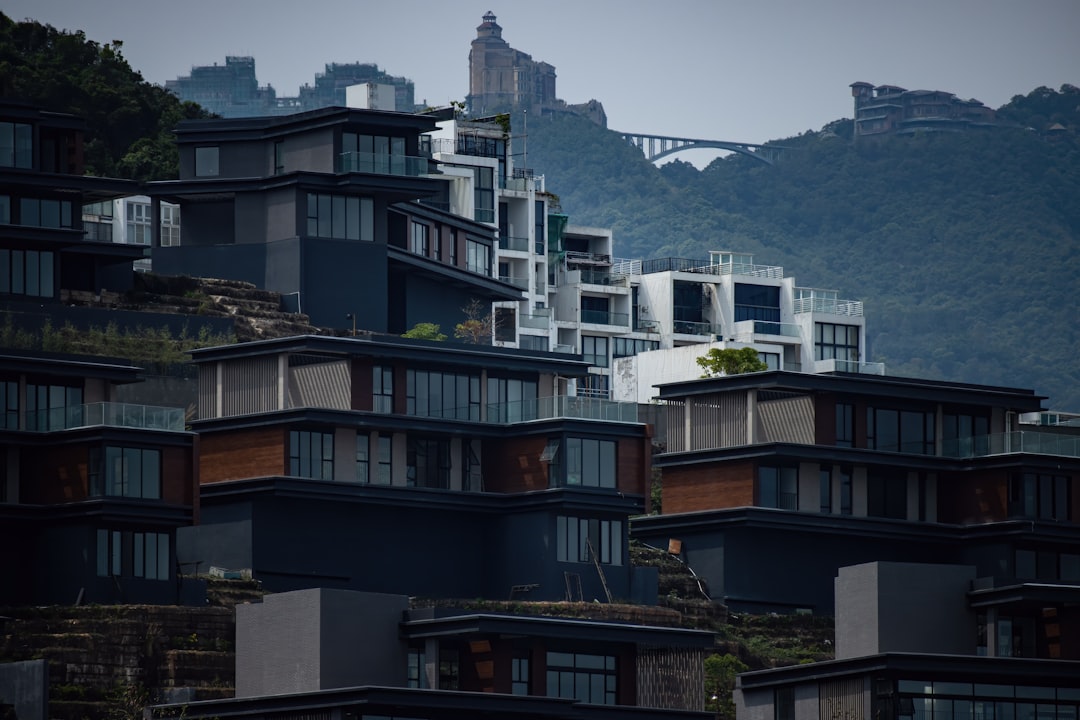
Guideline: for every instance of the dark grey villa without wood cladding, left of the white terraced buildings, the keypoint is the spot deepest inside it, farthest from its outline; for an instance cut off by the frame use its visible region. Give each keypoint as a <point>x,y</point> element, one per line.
<point>318,207</point>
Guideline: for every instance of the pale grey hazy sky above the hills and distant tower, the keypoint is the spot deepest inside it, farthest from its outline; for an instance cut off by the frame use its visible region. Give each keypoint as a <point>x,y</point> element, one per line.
<point>747,71</point>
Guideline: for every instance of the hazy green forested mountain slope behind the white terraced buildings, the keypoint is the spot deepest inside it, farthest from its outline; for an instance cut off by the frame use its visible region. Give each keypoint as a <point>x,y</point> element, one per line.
<point>964,247</point>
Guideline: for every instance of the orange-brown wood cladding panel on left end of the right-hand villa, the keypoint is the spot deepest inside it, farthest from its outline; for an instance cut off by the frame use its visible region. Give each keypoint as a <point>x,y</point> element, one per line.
<point>712,487</point>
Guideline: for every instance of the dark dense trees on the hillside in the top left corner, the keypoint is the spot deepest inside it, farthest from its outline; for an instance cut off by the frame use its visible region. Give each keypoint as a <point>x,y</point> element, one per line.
<point>129,120</point>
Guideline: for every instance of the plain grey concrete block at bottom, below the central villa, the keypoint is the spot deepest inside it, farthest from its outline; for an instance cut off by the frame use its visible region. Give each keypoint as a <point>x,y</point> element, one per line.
<point>319,640</point>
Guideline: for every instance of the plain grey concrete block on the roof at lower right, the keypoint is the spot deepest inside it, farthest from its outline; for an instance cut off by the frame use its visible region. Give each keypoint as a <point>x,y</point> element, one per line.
<point>904,607</point>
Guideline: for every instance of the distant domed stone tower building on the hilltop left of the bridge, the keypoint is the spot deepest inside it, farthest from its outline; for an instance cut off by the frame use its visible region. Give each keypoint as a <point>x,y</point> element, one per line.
<point>502,78</point>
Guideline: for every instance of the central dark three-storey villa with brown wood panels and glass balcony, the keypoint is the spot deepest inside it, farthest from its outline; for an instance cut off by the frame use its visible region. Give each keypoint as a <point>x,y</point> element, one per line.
<point>429,469</point>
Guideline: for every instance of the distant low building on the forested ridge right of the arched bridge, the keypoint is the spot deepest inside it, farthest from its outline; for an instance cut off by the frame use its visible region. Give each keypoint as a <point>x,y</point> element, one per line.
<point>888,110</point>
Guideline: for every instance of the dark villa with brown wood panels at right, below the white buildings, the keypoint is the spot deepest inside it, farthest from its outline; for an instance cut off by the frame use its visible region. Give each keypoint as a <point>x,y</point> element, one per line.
<point>774,481</point>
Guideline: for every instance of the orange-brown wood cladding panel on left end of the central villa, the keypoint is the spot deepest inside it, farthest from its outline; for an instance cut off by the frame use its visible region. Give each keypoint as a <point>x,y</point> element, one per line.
<point>244,454</point>
